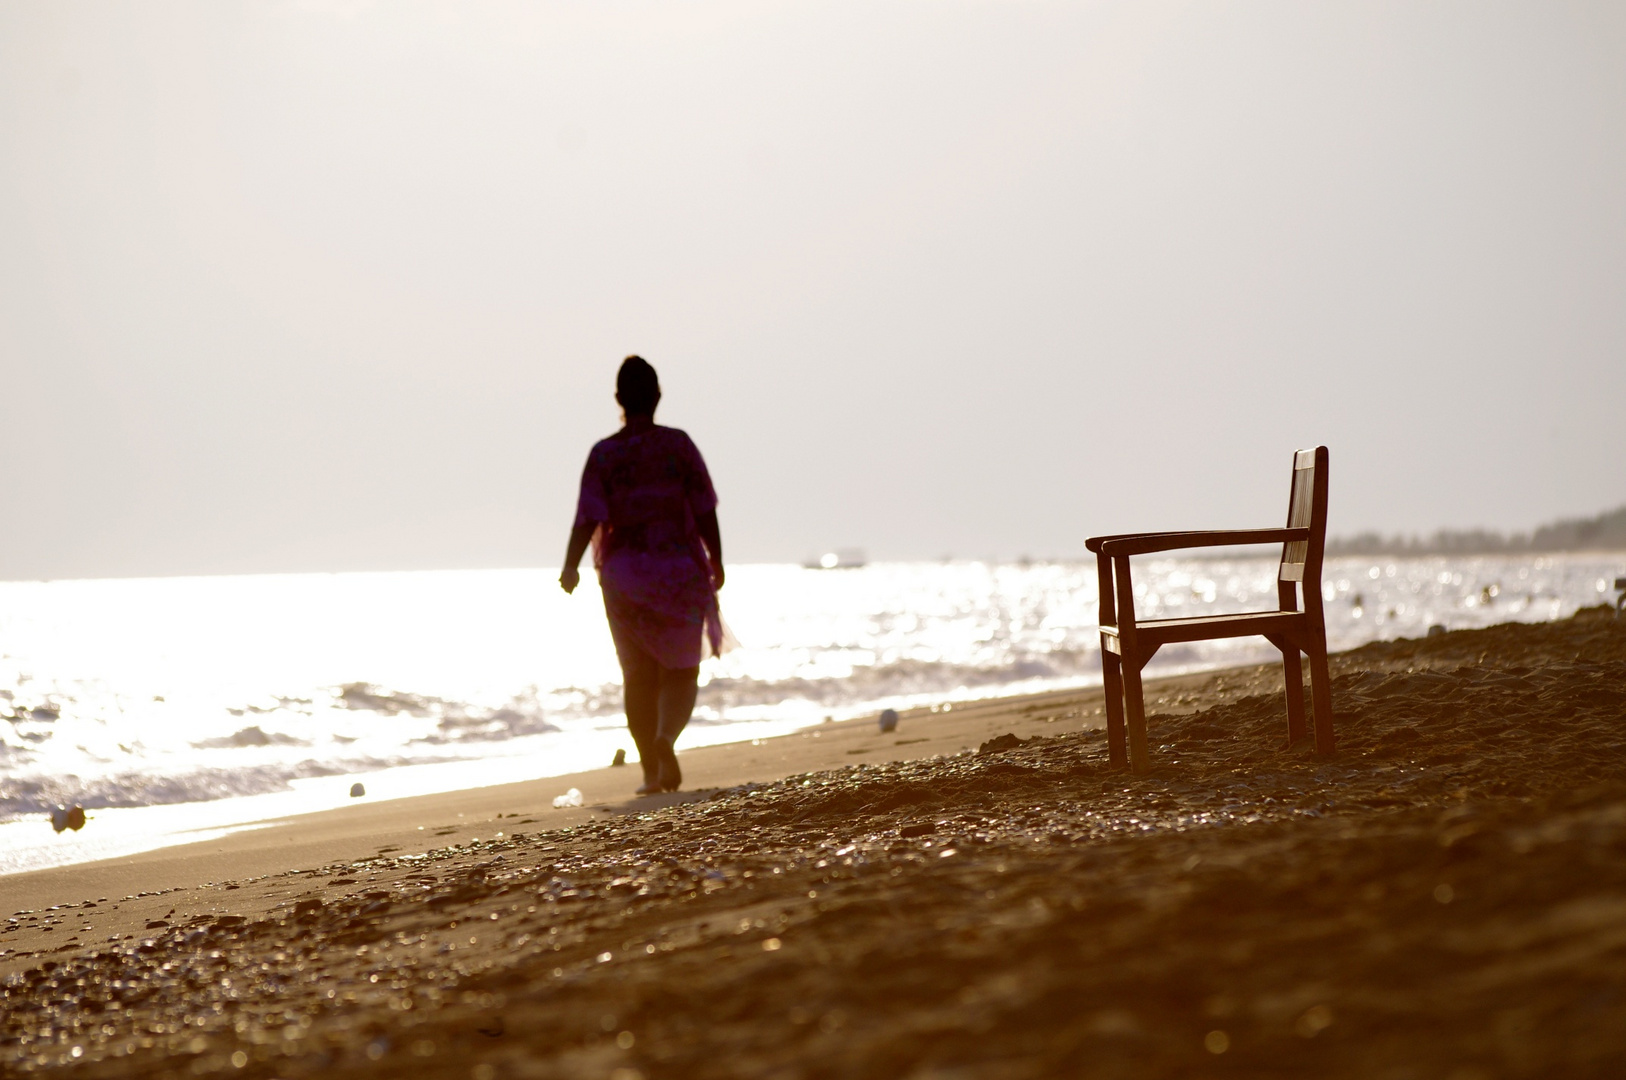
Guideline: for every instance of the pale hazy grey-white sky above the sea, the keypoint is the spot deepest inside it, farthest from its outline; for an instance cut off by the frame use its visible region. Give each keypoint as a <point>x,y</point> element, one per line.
<point>346,285</point>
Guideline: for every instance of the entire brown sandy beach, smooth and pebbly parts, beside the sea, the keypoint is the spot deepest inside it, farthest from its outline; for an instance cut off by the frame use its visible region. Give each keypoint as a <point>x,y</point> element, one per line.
<point>1446,897</point>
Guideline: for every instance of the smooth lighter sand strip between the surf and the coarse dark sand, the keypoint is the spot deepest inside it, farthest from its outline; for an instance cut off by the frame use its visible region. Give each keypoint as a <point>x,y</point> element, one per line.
<point>415,825</point>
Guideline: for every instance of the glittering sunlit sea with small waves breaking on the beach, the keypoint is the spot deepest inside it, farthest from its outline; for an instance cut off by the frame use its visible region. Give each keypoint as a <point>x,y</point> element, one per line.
<point>196,705</point>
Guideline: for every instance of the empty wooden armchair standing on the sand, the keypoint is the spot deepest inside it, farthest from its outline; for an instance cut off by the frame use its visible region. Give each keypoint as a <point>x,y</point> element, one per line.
<point>1129,643</point>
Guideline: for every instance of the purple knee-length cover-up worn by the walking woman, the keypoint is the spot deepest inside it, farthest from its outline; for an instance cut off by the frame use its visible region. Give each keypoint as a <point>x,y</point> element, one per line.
<point>645,494</point>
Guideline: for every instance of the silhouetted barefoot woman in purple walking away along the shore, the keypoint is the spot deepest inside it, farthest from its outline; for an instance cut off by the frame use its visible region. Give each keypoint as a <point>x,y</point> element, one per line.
<point>651,515</point>
